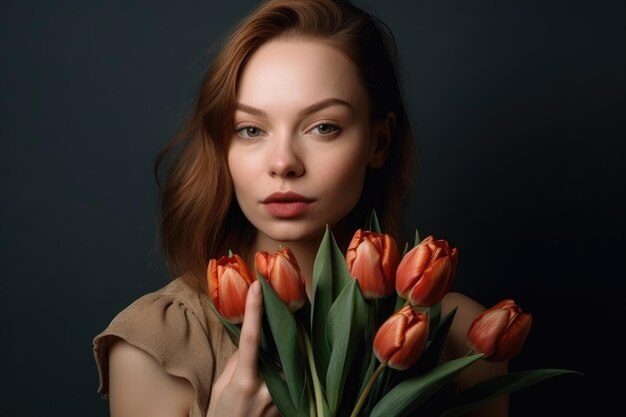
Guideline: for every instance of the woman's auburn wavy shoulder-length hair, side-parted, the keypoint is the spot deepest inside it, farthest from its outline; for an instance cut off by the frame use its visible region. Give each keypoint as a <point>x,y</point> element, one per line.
<point>200,219</point>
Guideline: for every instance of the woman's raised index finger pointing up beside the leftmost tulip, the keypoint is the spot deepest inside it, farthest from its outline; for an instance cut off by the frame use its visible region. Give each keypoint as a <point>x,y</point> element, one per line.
<point>250,334</point>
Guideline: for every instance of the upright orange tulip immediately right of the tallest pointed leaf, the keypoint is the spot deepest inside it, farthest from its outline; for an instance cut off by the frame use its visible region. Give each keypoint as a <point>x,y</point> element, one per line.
<point>372,260</point>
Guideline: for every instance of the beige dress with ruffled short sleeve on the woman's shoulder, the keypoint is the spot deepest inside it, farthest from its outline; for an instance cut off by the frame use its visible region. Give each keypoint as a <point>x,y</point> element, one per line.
<point>177,328</point>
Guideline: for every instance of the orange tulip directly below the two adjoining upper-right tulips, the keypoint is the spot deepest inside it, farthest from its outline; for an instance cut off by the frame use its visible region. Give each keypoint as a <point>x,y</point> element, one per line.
<point>400,340</point>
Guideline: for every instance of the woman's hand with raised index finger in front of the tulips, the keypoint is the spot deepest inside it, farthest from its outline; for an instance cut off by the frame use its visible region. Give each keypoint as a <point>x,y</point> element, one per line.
<point>240,390</point>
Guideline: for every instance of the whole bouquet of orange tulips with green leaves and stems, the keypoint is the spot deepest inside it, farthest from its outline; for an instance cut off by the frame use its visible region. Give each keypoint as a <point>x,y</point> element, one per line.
<point>370,340</point>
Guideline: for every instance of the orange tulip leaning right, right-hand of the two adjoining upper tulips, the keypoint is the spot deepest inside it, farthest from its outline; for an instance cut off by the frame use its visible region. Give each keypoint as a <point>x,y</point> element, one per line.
<point>426,272</point>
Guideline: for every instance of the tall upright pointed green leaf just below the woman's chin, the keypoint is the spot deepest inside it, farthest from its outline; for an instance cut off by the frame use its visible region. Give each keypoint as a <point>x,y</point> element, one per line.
<point>330,275</point>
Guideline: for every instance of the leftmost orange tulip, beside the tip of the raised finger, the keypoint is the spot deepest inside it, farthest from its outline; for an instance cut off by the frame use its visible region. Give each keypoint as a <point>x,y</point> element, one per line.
<point>229,279</point>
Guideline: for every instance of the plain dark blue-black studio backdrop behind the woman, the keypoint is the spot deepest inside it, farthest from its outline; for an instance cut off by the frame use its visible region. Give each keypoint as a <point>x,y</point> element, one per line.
<point>519,113</point>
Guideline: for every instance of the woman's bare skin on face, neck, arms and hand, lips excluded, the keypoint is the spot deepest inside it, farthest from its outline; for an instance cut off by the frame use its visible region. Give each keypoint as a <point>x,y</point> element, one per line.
<point>301,126</point>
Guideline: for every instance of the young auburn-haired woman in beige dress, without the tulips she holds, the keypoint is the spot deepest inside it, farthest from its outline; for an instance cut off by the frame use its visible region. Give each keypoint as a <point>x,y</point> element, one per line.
<point>300,123</point>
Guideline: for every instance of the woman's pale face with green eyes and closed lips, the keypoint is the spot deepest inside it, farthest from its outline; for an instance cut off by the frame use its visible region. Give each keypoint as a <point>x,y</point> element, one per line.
<point>302,139</point>
